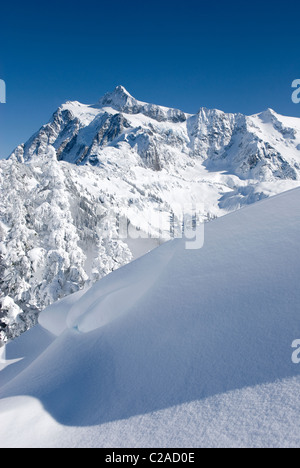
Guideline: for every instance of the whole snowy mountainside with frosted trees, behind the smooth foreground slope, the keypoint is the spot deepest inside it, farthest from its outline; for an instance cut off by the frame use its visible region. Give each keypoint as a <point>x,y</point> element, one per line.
<point>62,191</point>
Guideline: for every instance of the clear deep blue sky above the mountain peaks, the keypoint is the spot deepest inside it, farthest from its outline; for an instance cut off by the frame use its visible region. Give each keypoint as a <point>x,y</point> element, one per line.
<point>235,56</point>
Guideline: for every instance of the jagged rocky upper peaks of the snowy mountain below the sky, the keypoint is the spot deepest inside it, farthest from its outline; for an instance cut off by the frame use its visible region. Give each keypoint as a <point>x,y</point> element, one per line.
<point>258,147</point>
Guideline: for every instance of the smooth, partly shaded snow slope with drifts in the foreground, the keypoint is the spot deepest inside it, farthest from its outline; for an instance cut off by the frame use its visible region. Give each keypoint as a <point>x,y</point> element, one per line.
<point>179,348</point>
